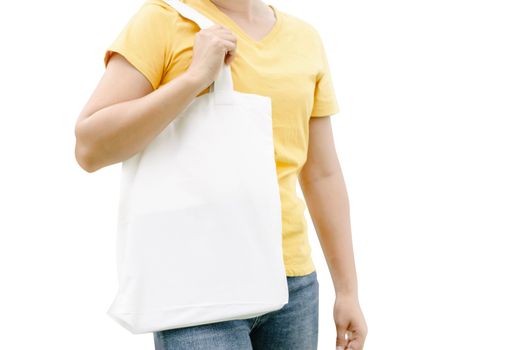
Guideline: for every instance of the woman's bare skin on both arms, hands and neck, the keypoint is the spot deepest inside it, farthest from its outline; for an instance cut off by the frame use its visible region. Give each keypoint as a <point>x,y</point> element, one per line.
<point>124,113</point>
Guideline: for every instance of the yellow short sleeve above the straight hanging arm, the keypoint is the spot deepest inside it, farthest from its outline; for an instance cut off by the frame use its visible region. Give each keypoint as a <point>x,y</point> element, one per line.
<point>325,100</point>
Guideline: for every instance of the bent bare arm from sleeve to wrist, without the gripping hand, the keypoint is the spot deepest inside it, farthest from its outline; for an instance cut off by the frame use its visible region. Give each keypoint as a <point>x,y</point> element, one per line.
<point>124,113</point>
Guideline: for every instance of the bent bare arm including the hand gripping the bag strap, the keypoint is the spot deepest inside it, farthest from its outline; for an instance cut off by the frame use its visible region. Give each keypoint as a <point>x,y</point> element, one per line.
<point>124,113</point>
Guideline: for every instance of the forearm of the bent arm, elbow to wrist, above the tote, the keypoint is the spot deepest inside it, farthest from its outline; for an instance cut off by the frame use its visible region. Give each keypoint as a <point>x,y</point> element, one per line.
<point>117,132</point>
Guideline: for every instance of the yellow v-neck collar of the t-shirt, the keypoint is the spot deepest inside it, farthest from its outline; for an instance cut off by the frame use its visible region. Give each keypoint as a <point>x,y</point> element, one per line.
<point>208,7</point>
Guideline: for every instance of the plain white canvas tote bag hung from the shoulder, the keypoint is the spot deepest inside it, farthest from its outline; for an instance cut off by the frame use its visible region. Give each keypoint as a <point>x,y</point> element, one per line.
<point>199,227</point>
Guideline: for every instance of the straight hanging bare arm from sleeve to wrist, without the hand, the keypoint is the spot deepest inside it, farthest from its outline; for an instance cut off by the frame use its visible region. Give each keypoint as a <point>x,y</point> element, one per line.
<point>325,194</point>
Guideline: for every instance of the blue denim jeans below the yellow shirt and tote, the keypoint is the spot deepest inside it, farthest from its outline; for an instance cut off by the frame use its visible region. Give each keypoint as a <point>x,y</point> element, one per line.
<point>294,326</point>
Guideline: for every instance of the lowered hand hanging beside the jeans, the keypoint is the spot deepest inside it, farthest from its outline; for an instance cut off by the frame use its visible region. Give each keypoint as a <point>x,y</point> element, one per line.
<point>349,319</point>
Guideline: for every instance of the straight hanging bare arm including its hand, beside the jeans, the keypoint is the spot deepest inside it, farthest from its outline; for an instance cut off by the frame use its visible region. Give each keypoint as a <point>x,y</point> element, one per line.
<point>325,194</point>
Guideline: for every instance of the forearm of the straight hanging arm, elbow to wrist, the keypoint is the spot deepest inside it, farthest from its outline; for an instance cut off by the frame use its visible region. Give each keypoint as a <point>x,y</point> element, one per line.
<point>328,204</point>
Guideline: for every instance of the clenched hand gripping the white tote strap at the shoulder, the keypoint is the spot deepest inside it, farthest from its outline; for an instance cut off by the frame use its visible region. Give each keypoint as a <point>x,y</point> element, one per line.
<point>213,46</point>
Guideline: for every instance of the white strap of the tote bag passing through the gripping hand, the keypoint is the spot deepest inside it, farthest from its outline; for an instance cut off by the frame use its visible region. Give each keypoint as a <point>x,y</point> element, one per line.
<point>223,85</point>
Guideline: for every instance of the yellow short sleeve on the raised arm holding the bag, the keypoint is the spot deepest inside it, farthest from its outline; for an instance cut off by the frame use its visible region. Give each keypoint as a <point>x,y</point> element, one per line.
<point>144,42</point>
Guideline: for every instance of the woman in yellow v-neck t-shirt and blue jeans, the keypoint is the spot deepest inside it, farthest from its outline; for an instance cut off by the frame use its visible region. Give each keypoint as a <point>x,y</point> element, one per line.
<point>158,64</point>
